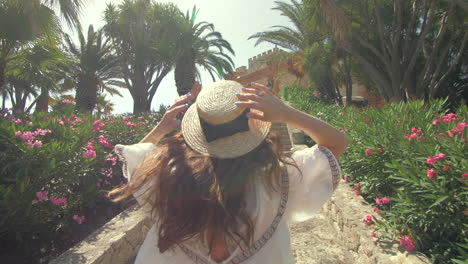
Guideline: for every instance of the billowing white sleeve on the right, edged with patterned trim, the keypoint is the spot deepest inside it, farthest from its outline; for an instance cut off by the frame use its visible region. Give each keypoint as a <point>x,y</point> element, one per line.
<point>308,191</point>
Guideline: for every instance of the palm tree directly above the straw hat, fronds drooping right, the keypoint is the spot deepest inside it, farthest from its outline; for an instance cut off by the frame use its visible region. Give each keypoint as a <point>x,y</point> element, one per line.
<point>199,44</point>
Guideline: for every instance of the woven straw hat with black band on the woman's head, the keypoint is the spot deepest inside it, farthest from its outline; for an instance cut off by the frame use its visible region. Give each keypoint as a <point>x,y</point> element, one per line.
<point>214,125</point>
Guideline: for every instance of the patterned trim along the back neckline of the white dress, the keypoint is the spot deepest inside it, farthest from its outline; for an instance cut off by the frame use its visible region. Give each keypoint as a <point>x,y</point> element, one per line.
<point>257,245</point>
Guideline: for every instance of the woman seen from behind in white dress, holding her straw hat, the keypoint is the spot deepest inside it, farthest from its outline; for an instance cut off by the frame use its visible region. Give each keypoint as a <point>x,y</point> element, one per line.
<point>221,190</point>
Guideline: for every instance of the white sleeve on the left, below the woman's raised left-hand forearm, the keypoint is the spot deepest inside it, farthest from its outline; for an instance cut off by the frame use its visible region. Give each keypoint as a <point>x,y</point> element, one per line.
<point>132,156</point>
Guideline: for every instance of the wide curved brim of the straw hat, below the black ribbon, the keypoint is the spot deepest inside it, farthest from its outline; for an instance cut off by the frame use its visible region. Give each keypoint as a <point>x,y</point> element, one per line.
<point>233,146</point>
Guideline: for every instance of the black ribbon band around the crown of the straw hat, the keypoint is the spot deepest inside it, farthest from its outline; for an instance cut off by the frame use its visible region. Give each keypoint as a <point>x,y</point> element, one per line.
<point>214,132</point>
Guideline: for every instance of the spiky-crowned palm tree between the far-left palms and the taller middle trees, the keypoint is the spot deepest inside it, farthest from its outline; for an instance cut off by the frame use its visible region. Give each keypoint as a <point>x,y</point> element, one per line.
<point>96,69</point>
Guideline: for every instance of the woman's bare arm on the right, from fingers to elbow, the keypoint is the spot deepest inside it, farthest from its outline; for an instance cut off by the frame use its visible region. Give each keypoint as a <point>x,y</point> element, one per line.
<point>257,96</point>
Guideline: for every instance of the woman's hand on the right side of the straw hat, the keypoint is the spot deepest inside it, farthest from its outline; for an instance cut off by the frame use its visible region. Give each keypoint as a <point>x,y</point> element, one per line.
<point>257,96</point>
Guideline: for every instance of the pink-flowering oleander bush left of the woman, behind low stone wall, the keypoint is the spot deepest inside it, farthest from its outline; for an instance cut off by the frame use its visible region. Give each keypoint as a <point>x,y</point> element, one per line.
<point>55,167</point>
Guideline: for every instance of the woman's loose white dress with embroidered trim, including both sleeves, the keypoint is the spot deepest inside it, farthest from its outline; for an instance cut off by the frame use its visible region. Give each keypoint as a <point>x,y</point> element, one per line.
<point>301,196</point>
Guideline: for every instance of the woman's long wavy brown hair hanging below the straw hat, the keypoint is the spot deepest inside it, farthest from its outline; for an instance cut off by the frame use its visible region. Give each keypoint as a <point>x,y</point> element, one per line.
<point>194,195</point>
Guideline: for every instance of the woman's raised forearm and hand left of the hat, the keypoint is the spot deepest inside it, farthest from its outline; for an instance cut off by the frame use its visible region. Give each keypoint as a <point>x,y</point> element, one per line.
<point>168,122</point>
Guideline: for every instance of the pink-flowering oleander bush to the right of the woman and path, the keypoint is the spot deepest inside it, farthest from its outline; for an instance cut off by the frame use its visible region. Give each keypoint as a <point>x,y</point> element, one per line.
<point>409,160</point>
